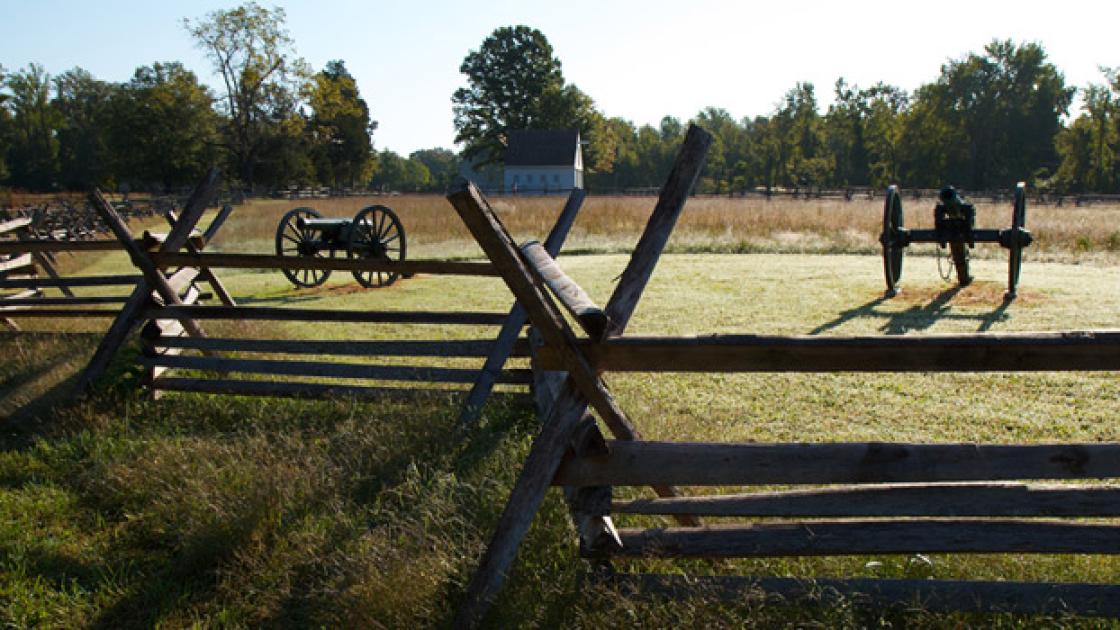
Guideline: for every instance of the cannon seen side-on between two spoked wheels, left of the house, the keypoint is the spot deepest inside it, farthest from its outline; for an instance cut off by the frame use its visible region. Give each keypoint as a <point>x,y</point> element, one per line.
<point>375,233</point>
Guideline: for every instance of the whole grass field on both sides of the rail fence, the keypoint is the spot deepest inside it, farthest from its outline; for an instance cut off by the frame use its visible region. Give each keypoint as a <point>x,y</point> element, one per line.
<point>120,512</point>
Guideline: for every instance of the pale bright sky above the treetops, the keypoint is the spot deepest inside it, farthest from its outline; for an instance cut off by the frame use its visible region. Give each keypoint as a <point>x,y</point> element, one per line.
<point>638,60</point>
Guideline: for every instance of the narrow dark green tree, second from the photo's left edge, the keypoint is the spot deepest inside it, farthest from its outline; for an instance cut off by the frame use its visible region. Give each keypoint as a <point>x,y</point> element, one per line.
<point>83,107</point>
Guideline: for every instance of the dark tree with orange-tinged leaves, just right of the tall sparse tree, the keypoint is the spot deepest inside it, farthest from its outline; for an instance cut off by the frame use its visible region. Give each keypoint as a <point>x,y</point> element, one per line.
<point>341,128</point>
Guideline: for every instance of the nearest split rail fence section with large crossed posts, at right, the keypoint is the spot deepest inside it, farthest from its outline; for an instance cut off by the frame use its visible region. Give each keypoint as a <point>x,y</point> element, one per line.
<point>856,498</point>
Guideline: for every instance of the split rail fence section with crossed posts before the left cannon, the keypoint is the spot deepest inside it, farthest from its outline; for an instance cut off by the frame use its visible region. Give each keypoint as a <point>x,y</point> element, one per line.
<point>180,356</point>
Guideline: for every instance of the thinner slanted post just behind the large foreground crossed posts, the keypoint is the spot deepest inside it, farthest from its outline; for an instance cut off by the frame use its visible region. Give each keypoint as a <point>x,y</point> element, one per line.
<point>515,323</point>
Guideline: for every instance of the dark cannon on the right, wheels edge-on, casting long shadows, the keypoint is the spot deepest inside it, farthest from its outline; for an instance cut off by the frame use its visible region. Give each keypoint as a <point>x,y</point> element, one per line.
<point>955,227</point>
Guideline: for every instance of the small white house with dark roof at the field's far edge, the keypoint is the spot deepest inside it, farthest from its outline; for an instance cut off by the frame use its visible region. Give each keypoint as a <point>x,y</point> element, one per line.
<point>544,161</point>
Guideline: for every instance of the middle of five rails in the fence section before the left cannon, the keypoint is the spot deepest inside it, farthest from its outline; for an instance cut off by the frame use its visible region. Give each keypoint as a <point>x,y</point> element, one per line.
<point>393,348</point>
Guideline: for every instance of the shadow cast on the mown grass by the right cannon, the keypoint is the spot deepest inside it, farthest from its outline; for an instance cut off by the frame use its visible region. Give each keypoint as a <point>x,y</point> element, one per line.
<point>919,317</point>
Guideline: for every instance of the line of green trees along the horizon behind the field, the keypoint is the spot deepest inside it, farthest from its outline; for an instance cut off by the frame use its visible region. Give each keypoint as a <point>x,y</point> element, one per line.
<point>988,119</point>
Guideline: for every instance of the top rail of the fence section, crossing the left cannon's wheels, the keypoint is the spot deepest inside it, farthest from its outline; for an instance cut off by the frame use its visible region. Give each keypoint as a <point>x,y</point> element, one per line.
<point>270,262</point>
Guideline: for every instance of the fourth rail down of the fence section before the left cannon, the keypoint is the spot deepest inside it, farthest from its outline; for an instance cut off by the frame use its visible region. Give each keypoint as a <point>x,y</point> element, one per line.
<point>337,370</point>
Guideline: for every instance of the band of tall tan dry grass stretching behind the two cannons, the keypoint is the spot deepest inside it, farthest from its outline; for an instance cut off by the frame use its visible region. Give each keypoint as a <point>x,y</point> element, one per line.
<point>708,225</point>
